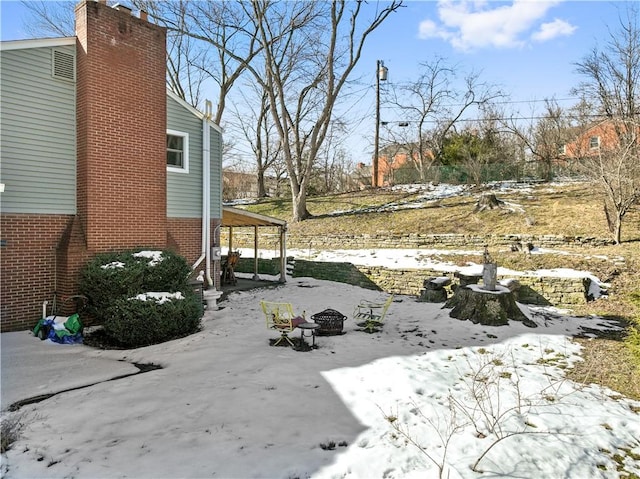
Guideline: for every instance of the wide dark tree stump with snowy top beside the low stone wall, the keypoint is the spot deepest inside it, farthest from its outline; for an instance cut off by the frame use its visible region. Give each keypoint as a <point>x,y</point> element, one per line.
<point>490,308</point>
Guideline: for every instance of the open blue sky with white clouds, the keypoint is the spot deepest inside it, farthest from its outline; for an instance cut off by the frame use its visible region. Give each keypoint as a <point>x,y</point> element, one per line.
<point>526,47</point>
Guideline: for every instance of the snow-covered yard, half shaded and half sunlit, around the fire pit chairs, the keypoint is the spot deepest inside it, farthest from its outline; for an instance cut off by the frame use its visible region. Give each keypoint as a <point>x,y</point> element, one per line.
<point>427,394</point>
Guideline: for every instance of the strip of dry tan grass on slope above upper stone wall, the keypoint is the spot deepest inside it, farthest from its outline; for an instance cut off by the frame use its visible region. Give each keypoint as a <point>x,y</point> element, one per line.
<point>572,209</point>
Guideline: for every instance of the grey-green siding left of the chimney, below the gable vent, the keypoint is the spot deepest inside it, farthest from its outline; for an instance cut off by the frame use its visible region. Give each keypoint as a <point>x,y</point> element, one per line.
<point>37,134</point>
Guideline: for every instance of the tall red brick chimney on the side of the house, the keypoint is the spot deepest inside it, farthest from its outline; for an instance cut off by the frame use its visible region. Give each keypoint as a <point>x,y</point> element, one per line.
<point>121,128</point>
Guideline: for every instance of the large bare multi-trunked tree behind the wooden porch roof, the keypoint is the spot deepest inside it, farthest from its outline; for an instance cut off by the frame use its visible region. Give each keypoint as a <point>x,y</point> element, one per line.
<point>309,50</point>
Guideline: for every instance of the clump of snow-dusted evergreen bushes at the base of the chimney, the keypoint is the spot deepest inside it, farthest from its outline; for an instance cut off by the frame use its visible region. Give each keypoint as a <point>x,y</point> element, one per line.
<point>111,280</point>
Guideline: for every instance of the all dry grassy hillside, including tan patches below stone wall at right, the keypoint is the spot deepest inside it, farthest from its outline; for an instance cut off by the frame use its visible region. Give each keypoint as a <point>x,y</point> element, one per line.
<point>573,209</point>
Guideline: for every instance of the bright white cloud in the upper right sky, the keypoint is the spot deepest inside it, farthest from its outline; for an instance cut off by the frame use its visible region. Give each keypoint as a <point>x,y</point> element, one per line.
<point>470,25</point>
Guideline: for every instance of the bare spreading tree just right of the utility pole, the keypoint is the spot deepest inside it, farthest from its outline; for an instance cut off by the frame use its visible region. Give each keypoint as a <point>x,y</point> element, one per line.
<point>433,106</point>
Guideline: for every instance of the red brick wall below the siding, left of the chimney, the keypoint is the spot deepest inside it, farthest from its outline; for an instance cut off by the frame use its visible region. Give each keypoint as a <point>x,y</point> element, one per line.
<point>28,260</point>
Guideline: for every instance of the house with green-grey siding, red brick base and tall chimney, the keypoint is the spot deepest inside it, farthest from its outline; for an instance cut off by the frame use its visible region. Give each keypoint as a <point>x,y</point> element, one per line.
<point>98,156</point>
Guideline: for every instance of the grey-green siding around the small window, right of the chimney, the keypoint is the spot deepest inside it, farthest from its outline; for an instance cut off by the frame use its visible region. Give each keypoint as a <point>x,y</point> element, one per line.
<point>184,191</point>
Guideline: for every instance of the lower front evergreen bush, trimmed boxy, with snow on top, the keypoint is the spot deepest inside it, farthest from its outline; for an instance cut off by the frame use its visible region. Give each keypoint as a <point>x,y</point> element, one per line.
<point>135,322</point>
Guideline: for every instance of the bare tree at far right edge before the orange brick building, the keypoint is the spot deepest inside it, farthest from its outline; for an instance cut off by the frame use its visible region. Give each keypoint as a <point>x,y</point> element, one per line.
<point>612,83</point>
